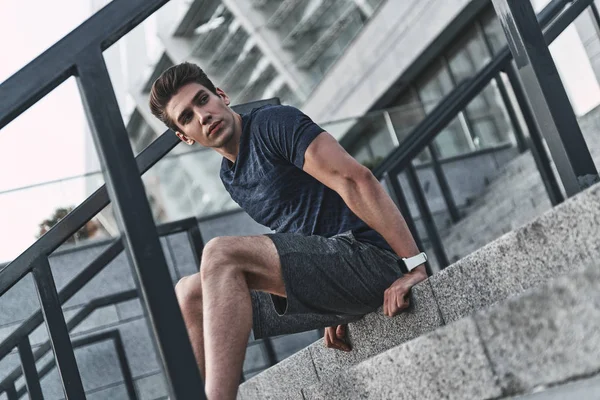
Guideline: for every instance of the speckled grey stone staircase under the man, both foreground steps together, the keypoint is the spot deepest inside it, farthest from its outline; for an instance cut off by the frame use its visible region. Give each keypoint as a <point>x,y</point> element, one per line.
<point>483,352</point>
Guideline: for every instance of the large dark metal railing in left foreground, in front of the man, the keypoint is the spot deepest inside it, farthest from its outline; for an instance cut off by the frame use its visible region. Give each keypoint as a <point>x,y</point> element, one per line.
<point>79,54</point>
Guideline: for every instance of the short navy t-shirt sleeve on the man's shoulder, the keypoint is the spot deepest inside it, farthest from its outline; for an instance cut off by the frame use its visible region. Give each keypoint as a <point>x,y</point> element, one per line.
<point>287,132</point>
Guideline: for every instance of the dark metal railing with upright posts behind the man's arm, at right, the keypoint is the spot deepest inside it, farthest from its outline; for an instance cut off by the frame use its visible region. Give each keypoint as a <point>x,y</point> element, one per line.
<point>554,19</point>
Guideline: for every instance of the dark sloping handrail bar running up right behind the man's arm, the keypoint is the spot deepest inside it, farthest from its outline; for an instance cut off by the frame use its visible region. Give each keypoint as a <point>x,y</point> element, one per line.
<point>424,133</point>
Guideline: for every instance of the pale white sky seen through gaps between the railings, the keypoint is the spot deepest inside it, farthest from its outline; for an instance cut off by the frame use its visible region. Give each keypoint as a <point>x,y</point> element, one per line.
<point>47,141</point>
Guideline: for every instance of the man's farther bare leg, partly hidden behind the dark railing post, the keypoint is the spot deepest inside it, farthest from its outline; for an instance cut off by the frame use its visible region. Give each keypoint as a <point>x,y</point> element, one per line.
<point>189,296</point>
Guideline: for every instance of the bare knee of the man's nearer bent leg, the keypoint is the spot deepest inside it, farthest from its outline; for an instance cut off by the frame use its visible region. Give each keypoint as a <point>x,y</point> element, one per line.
<point>218,257</point>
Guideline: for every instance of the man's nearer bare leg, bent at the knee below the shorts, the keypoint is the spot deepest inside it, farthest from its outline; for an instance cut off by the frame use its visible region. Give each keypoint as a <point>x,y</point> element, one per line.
<point>231,266</point>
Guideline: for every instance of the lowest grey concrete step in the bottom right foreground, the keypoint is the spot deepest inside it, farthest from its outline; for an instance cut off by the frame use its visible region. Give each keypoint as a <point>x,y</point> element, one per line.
<point>546,336</point>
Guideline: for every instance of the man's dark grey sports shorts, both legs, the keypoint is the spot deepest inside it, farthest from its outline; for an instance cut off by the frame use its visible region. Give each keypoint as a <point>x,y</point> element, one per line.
<point>328,281</point>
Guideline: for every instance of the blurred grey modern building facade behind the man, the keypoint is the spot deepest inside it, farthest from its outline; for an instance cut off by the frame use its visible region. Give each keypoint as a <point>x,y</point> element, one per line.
<point>367,70</point>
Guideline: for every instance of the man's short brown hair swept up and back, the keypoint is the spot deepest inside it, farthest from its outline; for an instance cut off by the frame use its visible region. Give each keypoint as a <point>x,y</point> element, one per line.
<point>169,83</point>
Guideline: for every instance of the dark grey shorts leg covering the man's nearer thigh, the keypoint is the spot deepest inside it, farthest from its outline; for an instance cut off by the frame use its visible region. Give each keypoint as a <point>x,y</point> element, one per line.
<point>333,276</point>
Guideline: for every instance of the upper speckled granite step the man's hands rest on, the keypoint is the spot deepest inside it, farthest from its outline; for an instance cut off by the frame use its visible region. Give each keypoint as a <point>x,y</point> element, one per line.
<point>562,240</point>
